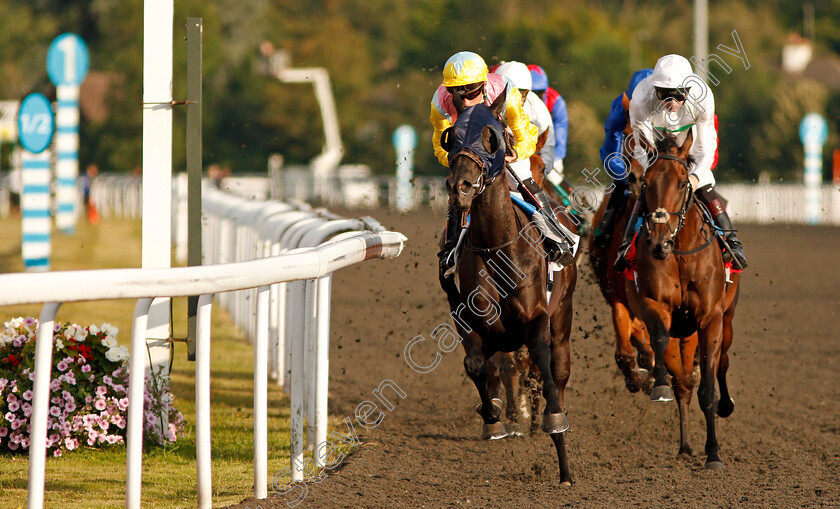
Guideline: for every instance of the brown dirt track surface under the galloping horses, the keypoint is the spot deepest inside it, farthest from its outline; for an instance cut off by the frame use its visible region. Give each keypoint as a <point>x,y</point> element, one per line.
<point>781,446</point>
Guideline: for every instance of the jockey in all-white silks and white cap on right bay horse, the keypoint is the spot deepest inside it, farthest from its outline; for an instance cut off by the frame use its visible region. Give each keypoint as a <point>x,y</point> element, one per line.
<point>675,99</point>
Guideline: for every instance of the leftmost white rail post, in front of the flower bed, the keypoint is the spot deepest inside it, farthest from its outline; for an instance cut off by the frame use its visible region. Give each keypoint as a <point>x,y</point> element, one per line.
<point>41,406</point>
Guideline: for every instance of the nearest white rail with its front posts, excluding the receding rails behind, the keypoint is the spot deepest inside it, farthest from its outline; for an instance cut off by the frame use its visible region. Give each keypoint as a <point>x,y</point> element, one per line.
<point>310,263</point>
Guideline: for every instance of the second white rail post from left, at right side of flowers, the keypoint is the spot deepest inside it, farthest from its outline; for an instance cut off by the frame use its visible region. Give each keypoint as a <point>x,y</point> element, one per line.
<point>136,387</point>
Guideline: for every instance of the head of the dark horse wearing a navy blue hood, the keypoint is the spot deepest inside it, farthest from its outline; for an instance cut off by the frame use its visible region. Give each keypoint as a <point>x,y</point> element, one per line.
<point>476,148</point>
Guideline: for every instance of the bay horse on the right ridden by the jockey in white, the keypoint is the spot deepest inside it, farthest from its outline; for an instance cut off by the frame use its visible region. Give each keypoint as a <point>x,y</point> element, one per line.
<point>682,290</point>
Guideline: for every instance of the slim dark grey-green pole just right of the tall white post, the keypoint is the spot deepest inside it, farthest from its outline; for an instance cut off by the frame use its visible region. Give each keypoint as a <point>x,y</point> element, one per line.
<point>194,164</point>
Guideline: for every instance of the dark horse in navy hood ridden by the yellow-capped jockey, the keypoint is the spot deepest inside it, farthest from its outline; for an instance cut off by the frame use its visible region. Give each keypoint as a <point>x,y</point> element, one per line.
<point>500,303</point>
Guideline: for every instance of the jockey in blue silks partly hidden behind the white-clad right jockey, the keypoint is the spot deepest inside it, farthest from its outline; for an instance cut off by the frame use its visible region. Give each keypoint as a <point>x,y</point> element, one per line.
<point>614,129</point>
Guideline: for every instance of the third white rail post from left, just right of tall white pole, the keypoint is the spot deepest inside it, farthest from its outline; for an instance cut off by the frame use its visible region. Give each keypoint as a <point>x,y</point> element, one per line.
<point>202,403</point>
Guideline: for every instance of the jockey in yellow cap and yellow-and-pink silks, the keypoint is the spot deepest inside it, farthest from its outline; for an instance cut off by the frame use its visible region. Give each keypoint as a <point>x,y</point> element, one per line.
<point>465,73</point>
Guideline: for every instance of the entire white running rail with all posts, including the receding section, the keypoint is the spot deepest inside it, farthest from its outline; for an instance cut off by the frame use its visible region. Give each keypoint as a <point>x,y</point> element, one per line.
<point>286,288</point>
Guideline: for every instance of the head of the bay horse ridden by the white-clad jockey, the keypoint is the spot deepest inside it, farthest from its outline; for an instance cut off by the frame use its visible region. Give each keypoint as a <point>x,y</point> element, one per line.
<point>667,194</point>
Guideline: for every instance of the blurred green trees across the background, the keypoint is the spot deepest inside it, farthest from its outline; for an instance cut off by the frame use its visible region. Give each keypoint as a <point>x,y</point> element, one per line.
<point>385,59</point>
